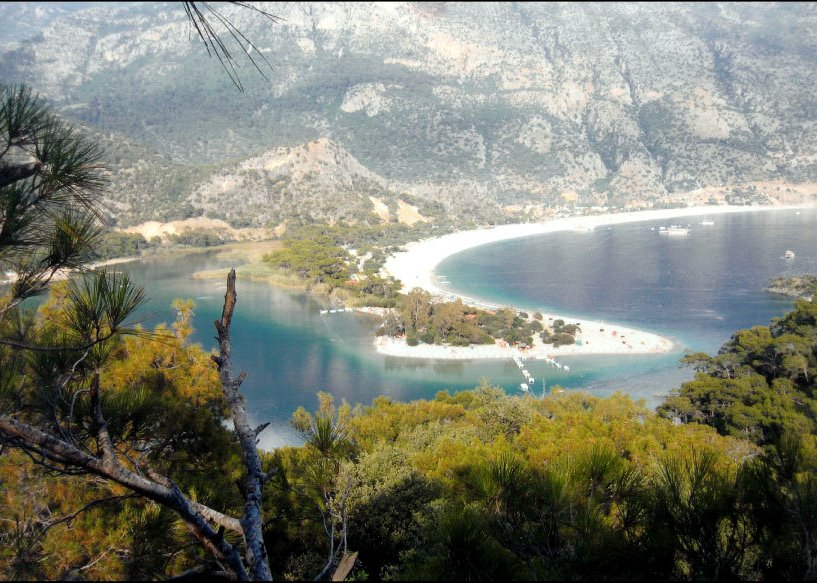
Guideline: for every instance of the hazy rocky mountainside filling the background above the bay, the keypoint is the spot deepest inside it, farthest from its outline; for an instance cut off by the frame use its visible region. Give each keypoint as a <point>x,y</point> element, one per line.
<point>471,106</point>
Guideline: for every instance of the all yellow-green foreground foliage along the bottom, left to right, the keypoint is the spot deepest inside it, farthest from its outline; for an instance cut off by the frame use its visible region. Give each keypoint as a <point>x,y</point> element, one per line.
<point>476,484</point>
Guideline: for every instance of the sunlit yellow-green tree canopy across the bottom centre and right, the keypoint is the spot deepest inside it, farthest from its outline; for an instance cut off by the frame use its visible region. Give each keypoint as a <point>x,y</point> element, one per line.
<point>478,485</point>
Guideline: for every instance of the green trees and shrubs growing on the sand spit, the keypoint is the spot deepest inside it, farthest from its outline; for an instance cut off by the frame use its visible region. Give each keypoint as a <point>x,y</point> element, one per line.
<point>342,264</point>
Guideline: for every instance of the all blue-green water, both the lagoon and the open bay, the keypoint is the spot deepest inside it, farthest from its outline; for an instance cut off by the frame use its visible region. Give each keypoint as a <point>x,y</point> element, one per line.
<point>696,289</point>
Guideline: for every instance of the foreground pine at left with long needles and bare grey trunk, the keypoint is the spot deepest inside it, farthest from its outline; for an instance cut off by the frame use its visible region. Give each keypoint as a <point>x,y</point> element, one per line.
<point>54,405</point>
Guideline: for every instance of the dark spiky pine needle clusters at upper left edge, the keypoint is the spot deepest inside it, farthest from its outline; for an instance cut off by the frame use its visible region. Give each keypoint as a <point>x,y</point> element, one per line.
<point>50,190</point>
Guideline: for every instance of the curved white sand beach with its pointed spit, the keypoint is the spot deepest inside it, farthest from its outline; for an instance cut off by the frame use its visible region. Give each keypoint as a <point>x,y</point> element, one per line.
<point>415,267</point>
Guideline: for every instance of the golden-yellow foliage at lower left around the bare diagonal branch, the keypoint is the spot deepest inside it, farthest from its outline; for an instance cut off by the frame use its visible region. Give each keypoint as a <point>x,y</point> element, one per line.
<point>163,405</point>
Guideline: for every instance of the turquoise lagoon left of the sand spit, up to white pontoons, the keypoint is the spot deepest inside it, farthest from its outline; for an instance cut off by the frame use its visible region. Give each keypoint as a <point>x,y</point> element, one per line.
<point>290,351</point>
